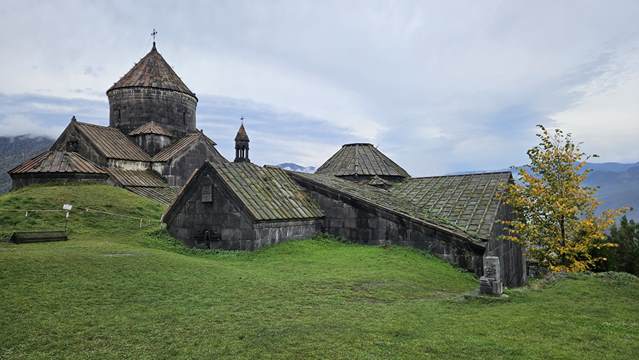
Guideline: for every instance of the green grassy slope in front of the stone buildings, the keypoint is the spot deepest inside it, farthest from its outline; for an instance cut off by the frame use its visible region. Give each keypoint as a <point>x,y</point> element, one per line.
<point>117,291</point>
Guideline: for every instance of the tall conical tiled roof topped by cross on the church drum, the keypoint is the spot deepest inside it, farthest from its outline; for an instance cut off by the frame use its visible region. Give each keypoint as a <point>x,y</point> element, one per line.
<point>152,71</point>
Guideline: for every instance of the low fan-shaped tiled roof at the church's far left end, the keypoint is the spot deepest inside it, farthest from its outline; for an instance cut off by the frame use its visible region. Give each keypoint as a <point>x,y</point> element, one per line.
<point>58,162</point>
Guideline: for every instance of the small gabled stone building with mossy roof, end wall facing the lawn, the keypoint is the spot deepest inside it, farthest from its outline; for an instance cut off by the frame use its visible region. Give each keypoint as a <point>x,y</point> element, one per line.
<point>241,206</point>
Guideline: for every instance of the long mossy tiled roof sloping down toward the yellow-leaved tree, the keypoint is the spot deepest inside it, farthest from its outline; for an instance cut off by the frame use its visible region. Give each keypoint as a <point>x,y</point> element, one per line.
<point>465,205</point>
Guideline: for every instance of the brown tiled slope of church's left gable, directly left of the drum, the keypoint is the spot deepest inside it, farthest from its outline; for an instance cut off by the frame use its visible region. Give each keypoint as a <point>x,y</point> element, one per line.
<point>111,142</point>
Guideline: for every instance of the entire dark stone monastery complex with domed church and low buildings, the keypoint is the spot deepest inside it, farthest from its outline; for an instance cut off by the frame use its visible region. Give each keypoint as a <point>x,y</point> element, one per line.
<point>152,147</point>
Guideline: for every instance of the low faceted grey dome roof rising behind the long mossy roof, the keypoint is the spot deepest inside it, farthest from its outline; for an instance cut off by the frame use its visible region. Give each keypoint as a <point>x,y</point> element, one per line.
<point>360,159</point>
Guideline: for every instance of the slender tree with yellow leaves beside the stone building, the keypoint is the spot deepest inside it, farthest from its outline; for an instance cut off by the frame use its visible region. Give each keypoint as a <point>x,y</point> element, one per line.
<point>554,214</point>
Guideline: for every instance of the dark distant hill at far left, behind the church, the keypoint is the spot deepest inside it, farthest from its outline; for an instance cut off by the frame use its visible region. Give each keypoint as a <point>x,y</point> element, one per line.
<point>15,150</point>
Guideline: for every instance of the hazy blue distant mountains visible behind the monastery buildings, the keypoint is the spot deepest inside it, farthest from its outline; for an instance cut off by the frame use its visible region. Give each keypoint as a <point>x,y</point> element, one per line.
<point>617,183</point>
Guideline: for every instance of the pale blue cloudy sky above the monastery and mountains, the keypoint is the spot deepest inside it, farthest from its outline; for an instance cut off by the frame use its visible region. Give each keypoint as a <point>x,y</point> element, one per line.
<point>441,86</point>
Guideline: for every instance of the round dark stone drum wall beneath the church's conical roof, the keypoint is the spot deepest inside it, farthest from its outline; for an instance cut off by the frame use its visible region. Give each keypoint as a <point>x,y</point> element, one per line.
<point>130,108</point>
